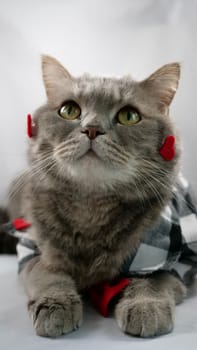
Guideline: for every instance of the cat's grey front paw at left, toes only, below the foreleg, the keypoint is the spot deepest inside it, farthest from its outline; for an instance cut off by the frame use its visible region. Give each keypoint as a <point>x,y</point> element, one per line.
<point>52,317</point>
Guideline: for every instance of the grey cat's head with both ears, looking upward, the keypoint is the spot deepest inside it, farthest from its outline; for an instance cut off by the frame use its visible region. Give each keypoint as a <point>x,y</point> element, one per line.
<point>105,132</point>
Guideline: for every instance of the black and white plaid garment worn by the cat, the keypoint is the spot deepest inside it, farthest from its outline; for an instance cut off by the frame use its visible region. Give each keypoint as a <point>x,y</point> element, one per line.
<point>170,246</point>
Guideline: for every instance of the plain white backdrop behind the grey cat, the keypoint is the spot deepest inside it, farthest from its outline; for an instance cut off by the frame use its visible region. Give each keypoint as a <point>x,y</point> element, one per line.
<point>111,37</point>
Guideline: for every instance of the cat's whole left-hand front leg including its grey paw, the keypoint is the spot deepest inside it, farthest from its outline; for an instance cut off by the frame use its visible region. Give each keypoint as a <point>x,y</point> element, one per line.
<point>53,302</point>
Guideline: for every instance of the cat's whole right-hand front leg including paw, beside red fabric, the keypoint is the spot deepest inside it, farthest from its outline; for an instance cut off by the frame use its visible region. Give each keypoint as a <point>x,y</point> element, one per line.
<point>147,307</point>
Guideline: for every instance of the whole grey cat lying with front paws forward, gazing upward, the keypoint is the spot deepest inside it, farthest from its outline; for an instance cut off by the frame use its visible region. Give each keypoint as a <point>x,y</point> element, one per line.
<point>100,176</point>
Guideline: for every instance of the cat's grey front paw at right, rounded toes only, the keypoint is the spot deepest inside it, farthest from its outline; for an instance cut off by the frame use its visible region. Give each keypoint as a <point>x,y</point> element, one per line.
<point>145,317</point>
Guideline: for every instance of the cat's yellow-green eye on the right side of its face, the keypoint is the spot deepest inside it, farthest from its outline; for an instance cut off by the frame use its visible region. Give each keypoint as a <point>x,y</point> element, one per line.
<point>128,116</point>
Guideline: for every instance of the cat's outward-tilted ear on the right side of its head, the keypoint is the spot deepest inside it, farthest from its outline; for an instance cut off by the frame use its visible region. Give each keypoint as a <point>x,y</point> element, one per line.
<point>163,84</point>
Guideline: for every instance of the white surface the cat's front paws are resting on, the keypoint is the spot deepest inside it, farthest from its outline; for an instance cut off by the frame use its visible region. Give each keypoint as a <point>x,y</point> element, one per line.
<point>16,330</point>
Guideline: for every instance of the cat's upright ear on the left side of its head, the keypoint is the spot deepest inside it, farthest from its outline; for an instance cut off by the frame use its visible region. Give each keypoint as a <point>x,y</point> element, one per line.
<point>55,76</point>
